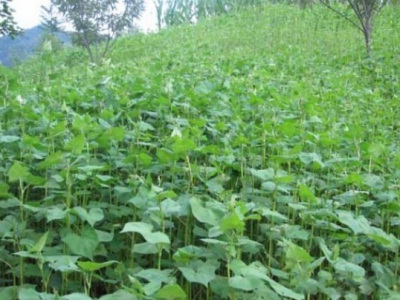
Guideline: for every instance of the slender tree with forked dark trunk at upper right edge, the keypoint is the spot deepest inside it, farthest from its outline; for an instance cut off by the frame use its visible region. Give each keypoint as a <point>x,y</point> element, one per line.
<point>365,12</point>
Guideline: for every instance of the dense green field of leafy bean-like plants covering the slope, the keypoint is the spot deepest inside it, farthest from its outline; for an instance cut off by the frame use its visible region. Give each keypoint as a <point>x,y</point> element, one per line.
<point>250,156</point>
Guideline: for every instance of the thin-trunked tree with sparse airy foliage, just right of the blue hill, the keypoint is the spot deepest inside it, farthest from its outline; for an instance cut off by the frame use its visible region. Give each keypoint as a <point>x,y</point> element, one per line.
<point>99,22</point>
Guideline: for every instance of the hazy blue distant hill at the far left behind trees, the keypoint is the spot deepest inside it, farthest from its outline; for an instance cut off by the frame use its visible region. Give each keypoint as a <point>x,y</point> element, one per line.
<point>24,45</point>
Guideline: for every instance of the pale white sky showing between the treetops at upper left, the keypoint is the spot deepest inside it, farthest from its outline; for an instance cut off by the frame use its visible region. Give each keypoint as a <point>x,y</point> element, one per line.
<point>27,13</point>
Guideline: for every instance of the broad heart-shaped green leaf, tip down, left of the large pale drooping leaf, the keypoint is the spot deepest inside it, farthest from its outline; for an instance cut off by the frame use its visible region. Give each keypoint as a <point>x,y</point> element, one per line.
<point>84,244</point>
